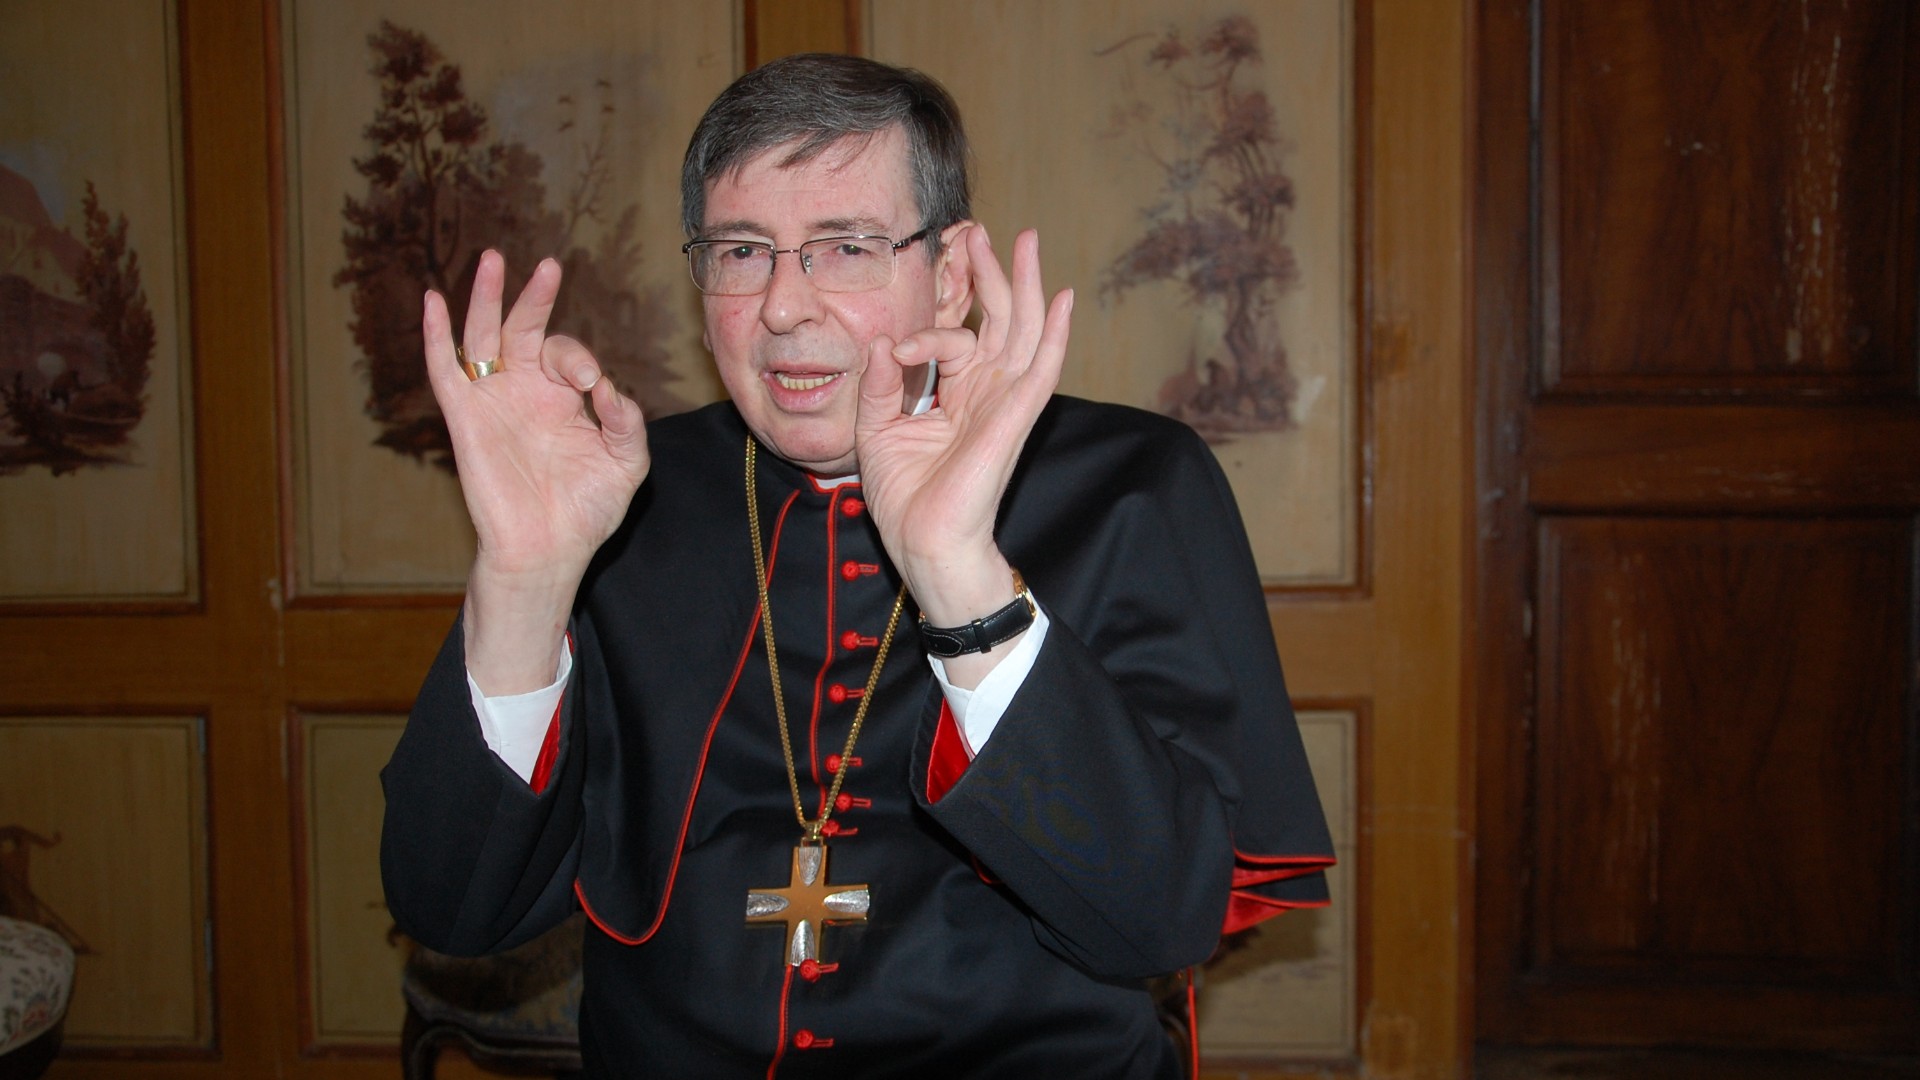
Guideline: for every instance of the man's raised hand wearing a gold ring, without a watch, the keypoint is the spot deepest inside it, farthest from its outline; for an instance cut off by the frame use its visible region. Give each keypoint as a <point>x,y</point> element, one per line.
<point>544,483</point>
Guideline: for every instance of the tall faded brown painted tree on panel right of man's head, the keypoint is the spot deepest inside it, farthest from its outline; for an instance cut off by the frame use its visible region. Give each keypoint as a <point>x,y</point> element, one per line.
<point>1220,228</point>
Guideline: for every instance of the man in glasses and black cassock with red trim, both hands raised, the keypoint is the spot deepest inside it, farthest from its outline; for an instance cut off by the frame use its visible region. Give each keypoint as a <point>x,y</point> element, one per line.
<point>896,718</point>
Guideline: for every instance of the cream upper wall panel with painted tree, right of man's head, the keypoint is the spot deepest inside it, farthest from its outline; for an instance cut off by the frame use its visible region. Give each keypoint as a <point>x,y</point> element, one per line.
<point>1237,318</point>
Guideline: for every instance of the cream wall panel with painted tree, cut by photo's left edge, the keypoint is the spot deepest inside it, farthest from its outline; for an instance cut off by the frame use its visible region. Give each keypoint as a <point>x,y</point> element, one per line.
<point>97,422</point>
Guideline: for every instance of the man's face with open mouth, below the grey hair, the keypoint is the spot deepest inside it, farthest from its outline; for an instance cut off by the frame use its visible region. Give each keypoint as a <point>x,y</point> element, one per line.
<point>792,356</point>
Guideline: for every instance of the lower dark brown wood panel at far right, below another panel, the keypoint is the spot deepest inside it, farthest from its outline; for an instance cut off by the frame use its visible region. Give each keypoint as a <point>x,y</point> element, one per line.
<point>1719,773</point>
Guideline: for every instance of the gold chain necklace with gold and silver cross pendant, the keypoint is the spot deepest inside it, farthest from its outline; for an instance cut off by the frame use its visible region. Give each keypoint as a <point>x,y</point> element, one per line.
<point>807,904</point>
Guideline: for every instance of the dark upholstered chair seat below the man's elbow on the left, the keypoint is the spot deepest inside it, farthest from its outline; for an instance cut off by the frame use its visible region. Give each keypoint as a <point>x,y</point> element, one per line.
<point>517,1010</point>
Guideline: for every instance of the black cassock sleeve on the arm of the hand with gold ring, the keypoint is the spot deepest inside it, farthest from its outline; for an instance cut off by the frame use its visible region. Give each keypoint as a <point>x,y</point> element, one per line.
<point>471,858</point>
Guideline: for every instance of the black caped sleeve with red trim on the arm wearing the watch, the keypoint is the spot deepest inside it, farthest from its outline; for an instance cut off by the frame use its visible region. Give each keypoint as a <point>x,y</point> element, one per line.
<point>1147,789</point>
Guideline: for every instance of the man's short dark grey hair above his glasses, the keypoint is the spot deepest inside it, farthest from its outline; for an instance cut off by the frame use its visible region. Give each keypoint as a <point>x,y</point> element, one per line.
<point>817,101</point>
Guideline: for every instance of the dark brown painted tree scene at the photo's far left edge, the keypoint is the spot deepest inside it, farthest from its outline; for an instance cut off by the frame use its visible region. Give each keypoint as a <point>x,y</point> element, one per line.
<point>76,335</point>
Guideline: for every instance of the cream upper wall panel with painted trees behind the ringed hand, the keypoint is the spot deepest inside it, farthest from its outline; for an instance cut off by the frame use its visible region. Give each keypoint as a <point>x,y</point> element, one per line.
<point>592,110</point>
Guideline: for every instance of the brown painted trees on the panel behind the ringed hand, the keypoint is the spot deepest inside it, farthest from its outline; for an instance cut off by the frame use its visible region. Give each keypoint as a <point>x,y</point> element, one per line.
<point>443,187</point>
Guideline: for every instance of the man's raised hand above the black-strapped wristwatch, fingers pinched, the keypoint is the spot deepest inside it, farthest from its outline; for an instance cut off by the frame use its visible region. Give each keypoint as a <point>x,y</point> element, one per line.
<point>934,483</point>
